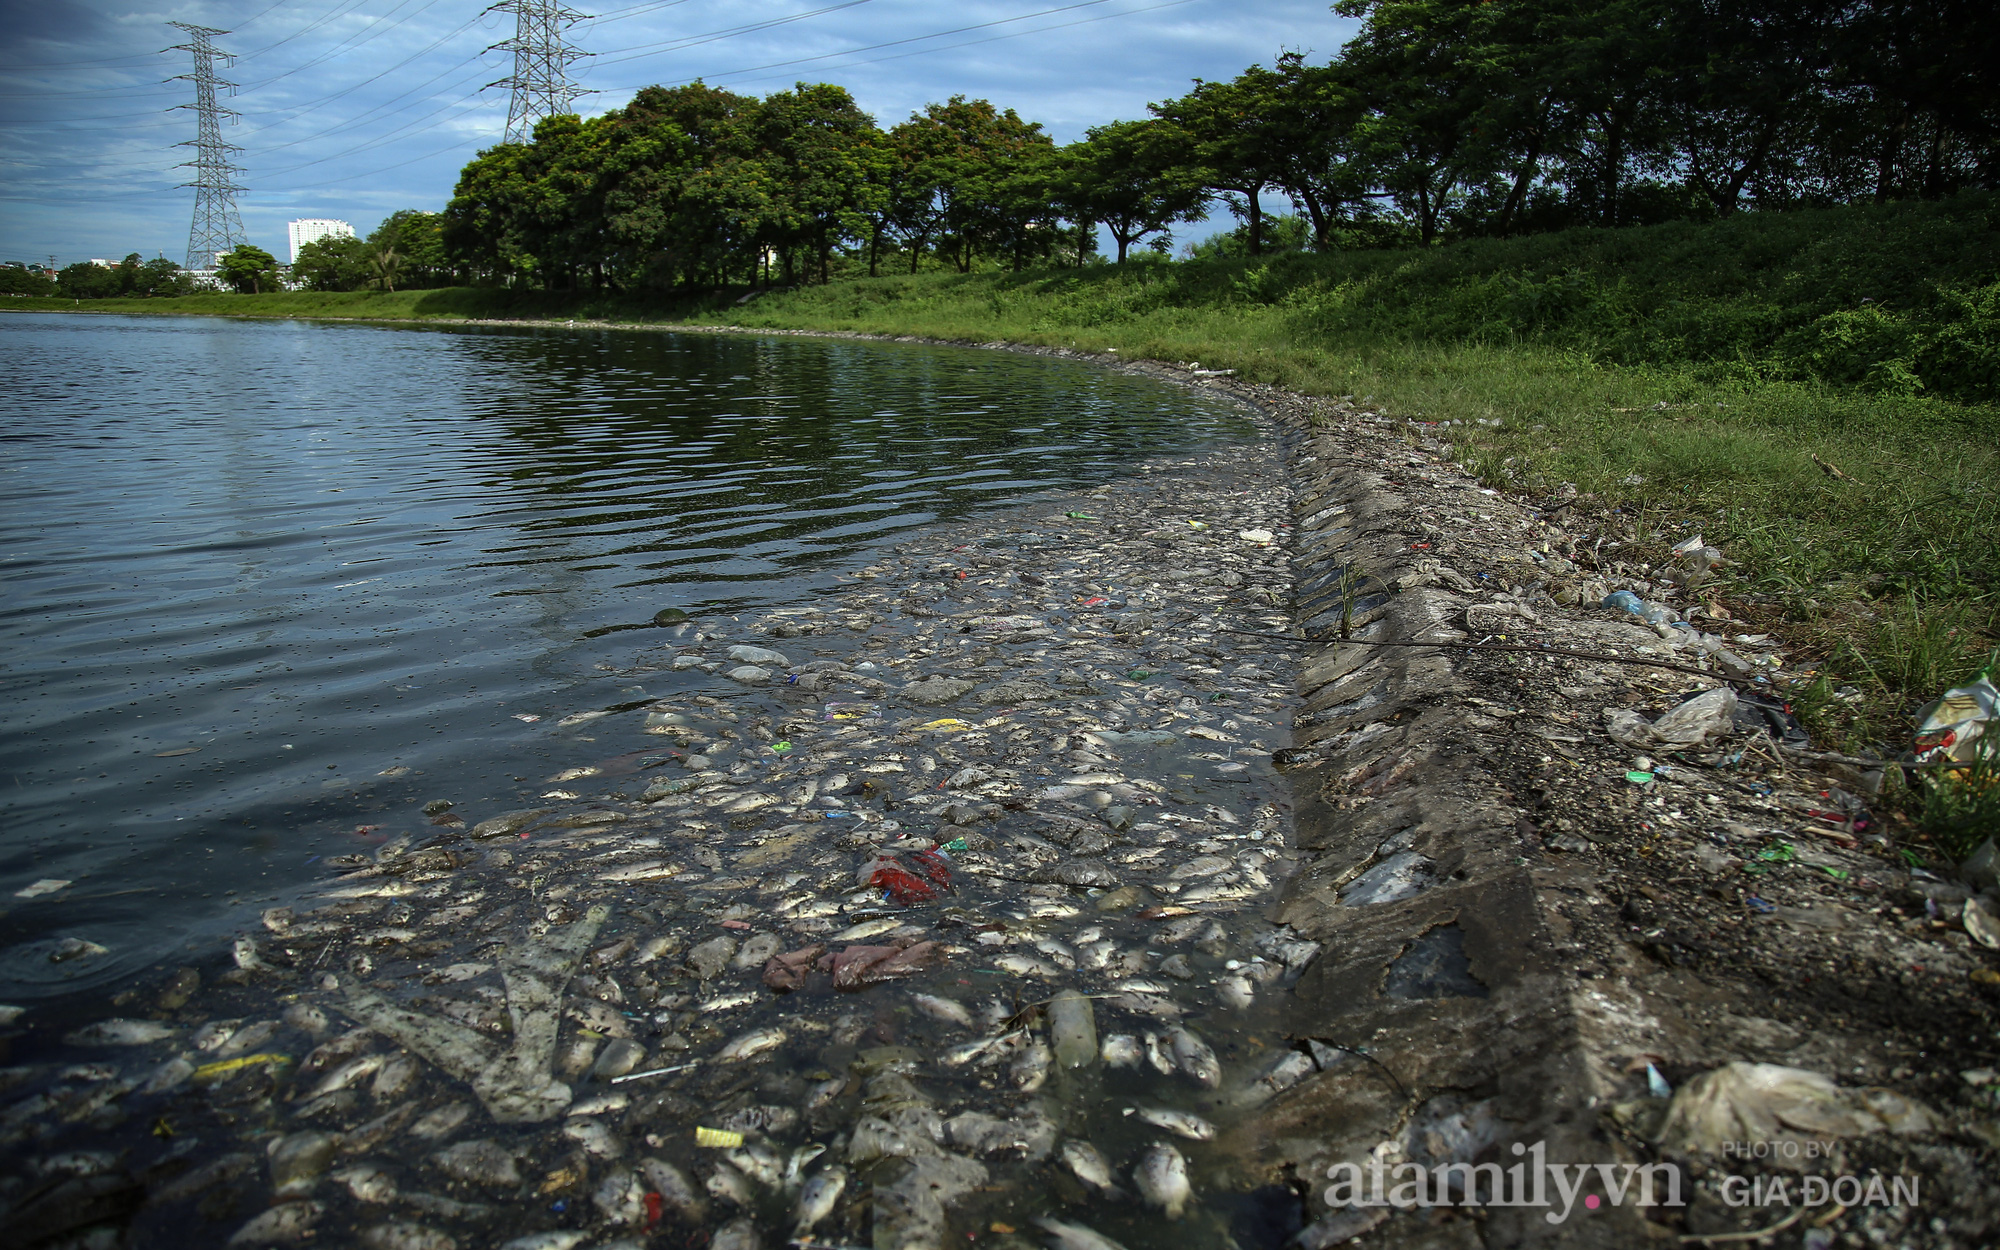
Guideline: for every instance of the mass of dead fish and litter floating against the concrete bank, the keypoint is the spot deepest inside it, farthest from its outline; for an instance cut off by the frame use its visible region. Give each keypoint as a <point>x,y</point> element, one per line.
<point>919,911</point>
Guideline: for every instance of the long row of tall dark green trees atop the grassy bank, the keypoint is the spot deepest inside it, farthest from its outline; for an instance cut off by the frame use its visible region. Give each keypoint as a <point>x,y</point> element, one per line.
<point>1443,119</point>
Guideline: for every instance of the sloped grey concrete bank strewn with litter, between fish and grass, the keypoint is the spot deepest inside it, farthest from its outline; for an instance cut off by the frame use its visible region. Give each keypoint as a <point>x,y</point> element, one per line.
<point>1697,995</point>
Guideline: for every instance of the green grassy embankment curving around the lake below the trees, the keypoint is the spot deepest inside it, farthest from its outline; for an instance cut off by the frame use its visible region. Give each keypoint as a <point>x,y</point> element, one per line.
<point>1685,373</point>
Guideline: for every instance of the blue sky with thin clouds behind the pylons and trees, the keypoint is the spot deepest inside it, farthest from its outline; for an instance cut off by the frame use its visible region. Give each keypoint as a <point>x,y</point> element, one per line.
<point>355,109</point>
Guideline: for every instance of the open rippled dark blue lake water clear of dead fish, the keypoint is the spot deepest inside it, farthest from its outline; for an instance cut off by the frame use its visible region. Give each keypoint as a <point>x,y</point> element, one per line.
<point>255,567</point>
